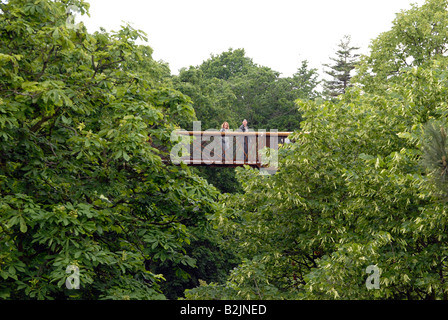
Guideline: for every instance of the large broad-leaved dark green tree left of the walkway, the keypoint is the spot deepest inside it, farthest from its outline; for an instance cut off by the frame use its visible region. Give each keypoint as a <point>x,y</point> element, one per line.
<point>84,122</point>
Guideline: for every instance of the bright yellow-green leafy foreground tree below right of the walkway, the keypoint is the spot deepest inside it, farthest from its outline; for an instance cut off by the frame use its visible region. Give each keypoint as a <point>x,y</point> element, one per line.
<point>339,203</point>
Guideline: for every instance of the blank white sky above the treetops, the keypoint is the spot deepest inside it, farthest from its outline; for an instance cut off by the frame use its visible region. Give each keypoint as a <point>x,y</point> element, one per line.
<point>278,34</point>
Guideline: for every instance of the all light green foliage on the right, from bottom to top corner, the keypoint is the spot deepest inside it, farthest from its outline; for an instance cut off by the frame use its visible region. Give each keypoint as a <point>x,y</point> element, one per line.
<point>365,187</point>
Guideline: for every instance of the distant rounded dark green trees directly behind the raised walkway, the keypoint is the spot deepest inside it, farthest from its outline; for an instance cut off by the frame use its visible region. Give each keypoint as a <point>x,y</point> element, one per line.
<point>230,87</point>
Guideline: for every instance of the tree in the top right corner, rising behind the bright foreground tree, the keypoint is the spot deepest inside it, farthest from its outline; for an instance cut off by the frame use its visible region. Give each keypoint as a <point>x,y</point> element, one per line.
<point>417,38</point>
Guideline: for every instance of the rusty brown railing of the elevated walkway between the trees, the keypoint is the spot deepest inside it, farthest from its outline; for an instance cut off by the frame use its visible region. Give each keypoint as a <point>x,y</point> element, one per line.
<point>231,148</point>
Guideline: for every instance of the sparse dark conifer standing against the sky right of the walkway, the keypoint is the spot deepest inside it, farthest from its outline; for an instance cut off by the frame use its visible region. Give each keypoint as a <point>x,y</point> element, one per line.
<point>340,71</point>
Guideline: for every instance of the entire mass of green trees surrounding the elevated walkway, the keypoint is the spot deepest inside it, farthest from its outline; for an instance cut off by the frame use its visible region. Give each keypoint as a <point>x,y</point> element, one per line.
<point>85,125</point>
